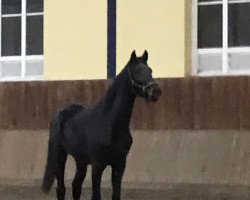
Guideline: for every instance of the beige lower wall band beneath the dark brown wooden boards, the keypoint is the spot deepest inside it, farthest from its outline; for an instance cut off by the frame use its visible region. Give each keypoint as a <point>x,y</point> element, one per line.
<point>157,159</point>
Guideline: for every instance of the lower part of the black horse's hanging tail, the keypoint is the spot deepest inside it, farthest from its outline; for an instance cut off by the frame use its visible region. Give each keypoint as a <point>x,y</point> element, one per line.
<point>49,176</point>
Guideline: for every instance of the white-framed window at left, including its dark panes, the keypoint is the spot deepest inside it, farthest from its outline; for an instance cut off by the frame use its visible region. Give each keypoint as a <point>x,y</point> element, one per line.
<point>21,52</point>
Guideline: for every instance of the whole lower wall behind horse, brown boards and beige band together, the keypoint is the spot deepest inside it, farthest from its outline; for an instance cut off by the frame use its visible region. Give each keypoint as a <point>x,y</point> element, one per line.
<point>197,133</point>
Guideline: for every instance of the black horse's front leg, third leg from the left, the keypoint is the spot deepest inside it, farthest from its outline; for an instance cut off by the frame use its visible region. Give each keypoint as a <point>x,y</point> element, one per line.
<point>97,170</point>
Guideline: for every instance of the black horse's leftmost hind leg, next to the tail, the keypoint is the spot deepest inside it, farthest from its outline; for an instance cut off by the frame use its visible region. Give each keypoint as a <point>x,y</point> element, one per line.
<point>60,158</point>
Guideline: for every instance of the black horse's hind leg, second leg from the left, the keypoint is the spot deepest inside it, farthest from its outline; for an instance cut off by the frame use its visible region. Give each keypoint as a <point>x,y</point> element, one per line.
<point>81,169</point>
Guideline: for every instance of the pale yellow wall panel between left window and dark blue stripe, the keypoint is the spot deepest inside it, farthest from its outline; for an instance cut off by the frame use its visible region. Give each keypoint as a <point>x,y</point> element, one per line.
<point>75,39</point>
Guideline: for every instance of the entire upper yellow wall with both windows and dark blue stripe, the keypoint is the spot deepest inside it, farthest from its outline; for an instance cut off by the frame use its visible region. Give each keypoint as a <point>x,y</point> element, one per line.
<point>93,39</point>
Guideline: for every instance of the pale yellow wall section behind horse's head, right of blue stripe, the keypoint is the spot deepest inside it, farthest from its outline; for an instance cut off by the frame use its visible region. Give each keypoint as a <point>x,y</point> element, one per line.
<point>159,27</point>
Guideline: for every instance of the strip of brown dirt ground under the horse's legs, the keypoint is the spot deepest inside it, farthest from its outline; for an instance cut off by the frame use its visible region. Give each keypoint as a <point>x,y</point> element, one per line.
<point>189,192</point>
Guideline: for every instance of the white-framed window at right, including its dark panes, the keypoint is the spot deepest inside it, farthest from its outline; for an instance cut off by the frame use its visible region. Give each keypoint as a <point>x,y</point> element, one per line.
<point>223,37</point>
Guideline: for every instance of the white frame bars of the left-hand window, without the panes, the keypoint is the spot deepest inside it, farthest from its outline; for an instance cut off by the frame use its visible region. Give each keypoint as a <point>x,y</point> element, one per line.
<point>23,57</point>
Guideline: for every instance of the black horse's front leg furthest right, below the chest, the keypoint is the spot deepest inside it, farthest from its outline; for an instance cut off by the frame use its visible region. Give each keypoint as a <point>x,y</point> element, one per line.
<point>117,173</point>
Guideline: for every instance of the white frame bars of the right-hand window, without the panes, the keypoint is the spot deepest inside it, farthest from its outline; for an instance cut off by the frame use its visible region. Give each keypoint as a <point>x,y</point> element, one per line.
<point>225,49</point>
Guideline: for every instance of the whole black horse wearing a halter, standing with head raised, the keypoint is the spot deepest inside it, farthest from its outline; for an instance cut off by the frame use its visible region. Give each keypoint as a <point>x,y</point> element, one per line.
<point>100,135</point>
